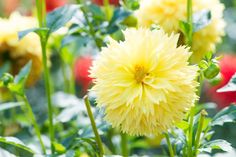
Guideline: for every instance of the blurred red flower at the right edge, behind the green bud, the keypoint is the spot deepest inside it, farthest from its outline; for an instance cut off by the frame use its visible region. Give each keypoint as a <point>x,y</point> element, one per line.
<point>228,69</point>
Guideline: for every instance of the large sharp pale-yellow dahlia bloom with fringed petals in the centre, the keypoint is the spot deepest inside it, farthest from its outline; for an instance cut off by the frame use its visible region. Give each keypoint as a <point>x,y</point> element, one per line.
<point>145,83</point>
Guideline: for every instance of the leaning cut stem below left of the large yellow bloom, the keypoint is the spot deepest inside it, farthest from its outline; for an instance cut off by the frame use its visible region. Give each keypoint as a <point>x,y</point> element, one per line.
<point>95,130</point>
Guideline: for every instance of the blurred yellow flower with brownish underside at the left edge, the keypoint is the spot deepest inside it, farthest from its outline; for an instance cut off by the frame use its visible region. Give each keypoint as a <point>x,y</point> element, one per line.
<point>19,52</point>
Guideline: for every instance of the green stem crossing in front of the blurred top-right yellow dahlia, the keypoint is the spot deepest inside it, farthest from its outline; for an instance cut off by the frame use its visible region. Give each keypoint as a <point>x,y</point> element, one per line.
<point>190,21</point>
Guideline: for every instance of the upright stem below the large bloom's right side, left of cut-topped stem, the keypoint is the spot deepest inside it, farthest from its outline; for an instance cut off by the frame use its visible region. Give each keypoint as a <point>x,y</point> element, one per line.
<point>190,132</point>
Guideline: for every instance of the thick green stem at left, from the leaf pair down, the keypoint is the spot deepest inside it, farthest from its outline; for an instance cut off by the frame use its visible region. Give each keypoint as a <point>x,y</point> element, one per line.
<point>48,92</point>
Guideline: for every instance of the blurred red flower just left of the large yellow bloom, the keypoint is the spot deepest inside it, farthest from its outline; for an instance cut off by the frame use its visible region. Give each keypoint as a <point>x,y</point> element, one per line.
<point>81,68</point>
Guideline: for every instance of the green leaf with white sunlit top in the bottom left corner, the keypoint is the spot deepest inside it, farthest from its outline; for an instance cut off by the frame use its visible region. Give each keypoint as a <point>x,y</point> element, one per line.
<point>15,146</point>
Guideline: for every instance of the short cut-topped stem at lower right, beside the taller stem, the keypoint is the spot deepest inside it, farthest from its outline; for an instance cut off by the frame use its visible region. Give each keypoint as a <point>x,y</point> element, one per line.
<point>199,131</point>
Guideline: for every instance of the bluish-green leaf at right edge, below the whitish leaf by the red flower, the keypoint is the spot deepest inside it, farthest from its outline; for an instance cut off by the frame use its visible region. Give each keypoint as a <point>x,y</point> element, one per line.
<point>226,115</point>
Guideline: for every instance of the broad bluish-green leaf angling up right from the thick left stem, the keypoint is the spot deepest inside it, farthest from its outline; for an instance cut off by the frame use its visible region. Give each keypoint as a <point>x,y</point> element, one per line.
<point>60,16</point>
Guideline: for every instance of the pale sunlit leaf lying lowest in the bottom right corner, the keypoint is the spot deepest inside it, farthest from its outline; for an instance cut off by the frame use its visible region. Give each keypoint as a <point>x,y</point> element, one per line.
<point>216,144</point>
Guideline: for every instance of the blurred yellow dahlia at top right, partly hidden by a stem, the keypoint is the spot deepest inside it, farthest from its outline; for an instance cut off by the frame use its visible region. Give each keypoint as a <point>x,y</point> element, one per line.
<point>168,14</point>
